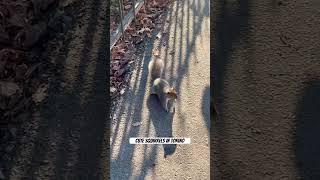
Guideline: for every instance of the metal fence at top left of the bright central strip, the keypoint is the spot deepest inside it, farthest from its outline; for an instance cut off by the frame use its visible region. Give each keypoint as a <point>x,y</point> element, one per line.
<point>125,20</point>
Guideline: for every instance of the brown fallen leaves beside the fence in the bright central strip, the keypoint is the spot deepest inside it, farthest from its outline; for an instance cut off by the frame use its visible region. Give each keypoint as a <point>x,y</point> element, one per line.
<point>124,52</point>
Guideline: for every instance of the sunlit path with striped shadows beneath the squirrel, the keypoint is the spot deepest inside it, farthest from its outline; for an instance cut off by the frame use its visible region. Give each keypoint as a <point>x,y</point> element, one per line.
<point>185,50</point>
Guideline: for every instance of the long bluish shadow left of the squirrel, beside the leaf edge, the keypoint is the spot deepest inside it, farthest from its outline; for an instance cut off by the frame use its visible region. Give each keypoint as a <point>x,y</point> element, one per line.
<point>132,113</point>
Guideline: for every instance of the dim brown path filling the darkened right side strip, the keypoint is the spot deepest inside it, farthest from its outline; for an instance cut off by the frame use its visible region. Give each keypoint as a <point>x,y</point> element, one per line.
<point>266,63</point>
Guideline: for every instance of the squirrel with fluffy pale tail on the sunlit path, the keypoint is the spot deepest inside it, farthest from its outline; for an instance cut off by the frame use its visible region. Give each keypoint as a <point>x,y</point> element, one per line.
<point>167,95</point>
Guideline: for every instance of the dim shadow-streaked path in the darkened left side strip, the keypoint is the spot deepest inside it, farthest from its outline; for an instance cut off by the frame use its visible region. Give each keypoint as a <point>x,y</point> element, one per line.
<point>65,140</point>
